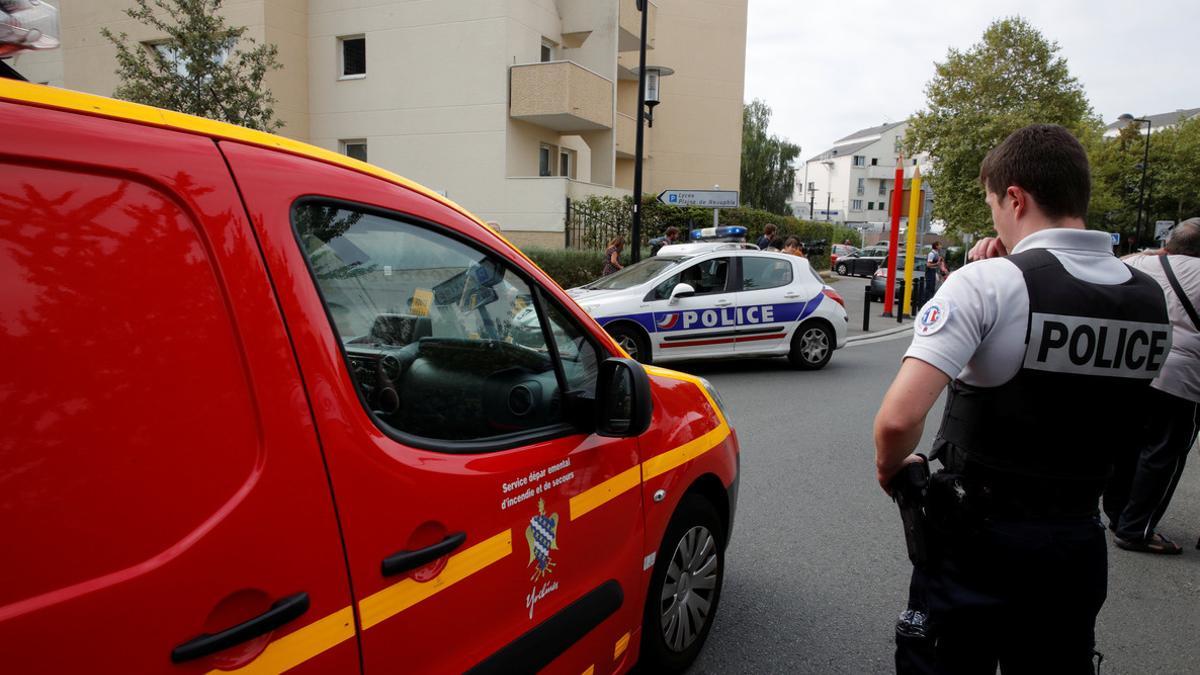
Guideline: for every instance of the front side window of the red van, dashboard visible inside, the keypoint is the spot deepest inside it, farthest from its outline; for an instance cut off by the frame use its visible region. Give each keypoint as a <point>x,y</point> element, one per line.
<point>443,342</point>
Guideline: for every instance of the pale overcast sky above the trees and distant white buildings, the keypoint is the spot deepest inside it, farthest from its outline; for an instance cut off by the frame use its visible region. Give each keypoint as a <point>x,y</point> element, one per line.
<point>829,68</point>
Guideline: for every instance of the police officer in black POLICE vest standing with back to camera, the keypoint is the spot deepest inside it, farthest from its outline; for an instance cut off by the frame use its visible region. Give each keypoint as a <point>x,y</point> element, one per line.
<point>1046,348</point>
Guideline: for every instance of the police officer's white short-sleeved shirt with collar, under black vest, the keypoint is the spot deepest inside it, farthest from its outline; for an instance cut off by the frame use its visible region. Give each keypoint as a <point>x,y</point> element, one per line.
<point>974,328</point>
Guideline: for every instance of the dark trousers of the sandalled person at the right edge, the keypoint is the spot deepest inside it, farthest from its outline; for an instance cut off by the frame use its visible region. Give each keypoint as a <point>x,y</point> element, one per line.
<point>1144,479</point>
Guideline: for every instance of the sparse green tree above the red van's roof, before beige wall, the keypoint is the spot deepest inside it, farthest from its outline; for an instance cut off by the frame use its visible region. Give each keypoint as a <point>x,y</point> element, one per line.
<point>202,68</point>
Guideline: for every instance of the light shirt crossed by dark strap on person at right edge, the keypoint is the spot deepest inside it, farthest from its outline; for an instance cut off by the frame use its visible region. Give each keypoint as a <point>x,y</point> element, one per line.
<point>1181,375</point>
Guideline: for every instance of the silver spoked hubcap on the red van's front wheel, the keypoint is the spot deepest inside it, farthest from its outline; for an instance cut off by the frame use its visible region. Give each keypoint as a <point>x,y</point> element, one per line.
<point>689,588</point>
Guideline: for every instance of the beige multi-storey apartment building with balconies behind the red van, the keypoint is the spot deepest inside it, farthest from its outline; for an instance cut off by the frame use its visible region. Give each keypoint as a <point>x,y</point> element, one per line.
<point>509,107</point>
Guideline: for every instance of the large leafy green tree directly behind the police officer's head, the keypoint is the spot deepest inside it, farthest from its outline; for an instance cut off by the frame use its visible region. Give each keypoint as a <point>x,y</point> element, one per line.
<point>1013,77</point>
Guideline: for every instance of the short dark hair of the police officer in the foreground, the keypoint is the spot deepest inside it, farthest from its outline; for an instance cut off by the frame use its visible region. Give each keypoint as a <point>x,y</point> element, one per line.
<point>1046,162</point>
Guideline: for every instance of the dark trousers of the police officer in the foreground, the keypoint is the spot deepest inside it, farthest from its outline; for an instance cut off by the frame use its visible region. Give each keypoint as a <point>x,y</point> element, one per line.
<point>1019,595</point>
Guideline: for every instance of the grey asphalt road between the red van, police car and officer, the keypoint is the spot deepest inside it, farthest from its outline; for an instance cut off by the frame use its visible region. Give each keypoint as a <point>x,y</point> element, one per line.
<point>817,571</point>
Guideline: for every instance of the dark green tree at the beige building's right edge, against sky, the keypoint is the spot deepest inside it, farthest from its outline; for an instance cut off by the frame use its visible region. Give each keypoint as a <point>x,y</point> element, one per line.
<point>767,171</point>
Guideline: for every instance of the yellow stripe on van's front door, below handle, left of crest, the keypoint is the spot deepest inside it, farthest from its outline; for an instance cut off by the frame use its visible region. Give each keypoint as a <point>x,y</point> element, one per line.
<point>403,595</point>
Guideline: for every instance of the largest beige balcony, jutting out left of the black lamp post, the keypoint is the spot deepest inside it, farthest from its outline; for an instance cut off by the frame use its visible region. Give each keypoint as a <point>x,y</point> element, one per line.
<point>561,95</point>
